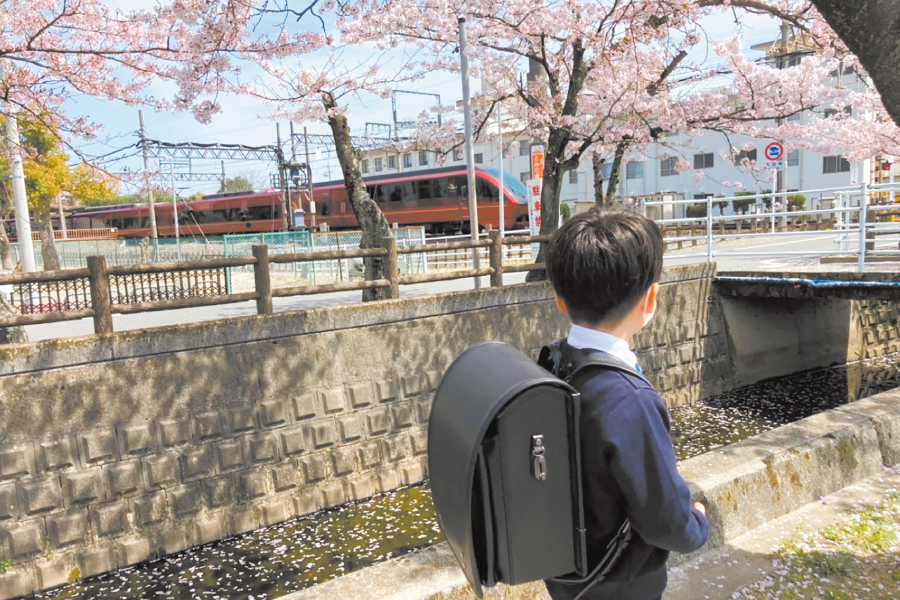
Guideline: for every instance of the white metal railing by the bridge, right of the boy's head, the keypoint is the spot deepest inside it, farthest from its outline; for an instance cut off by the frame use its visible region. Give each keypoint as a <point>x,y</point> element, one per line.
<point>851,224</point>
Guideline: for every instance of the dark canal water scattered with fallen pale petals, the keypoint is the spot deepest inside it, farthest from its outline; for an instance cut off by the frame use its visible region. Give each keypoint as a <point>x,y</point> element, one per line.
<point>281,559</point>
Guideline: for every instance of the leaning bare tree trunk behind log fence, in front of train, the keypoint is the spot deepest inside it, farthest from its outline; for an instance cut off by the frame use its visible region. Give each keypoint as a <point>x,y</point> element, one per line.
<point>370,218</point>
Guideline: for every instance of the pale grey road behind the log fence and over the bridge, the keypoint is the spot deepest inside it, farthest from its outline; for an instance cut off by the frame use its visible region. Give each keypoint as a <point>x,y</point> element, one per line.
<point>798,262</point>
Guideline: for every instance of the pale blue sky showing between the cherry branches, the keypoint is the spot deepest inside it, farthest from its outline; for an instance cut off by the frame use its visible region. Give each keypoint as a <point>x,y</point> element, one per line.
<point>245,120</point>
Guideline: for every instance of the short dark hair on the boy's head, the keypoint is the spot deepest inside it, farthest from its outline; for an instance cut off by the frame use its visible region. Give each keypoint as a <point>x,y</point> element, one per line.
<point>601,262</point>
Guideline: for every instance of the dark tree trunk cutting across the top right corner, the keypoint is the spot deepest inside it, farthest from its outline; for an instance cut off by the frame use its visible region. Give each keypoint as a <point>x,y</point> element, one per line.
<point>869,28</point>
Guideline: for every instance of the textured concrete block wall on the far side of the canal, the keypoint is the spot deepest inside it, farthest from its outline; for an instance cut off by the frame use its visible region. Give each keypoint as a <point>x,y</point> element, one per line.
<point>119,448</point>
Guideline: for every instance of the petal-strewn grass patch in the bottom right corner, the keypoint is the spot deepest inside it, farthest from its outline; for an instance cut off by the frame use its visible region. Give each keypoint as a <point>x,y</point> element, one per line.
<point>857,558</point>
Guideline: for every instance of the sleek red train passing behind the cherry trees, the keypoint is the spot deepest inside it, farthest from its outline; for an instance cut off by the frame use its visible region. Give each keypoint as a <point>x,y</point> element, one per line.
<point>433,198</point>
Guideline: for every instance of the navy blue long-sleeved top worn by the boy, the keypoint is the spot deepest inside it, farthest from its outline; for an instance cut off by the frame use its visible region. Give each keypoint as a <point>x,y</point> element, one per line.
<point>629,470</point>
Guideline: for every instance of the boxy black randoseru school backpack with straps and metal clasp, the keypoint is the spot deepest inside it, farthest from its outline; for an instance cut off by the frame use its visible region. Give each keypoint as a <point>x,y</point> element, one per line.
<point>505,465</point>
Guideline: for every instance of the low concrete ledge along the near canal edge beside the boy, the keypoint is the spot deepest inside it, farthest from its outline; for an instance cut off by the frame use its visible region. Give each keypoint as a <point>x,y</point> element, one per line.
<point>747,485</point>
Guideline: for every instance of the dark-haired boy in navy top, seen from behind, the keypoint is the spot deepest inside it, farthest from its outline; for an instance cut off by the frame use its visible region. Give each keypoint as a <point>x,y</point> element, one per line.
<point>605,268</point>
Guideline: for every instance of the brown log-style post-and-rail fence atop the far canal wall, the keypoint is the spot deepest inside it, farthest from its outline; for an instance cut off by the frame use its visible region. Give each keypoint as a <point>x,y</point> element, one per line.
<point>100,291</point>
